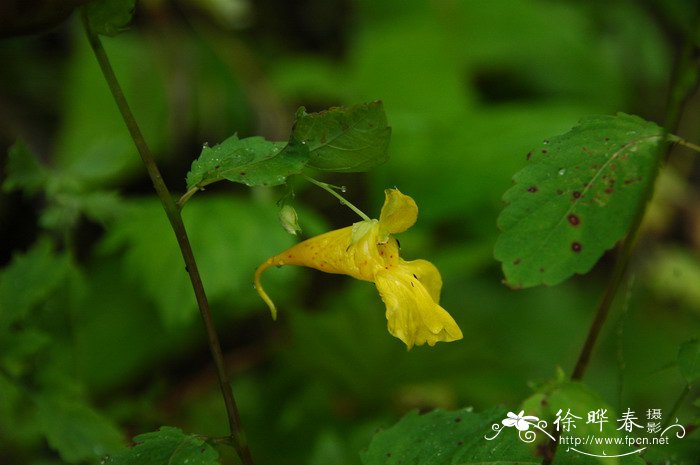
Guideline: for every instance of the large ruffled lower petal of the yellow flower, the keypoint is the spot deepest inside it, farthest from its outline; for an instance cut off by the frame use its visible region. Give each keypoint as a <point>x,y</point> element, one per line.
<point>412,313</point>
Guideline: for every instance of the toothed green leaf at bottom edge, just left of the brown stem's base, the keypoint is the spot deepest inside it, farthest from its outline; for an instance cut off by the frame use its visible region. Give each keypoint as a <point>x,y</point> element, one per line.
<point>167,446</point>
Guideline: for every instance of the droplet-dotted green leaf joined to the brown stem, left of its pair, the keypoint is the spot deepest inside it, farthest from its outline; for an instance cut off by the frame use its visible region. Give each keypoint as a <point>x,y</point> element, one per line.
<point>252,161</point>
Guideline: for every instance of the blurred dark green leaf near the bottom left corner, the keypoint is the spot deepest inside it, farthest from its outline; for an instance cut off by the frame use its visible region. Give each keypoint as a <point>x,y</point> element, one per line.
<point>75,429</point>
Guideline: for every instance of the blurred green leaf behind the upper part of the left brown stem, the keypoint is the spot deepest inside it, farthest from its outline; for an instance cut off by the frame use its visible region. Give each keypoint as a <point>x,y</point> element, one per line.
<point>92,143</point>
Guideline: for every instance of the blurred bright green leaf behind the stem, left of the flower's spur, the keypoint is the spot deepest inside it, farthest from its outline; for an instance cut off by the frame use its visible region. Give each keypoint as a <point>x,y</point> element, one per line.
<point>229,236</point>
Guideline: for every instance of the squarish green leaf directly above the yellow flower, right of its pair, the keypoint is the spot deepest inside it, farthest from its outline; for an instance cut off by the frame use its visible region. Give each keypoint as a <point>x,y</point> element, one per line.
<point>344,139</point>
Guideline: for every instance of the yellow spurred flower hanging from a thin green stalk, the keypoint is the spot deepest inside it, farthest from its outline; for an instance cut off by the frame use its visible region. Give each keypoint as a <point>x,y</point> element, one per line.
<point>367,251</point>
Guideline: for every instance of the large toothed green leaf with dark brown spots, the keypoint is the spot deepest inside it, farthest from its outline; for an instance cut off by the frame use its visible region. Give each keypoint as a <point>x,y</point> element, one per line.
<point>577,196</point>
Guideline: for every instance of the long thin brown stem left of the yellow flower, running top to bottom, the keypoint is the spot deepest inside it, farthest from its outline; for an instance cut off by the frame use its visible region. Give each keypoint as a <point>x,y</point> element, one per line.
<point>237,436</point>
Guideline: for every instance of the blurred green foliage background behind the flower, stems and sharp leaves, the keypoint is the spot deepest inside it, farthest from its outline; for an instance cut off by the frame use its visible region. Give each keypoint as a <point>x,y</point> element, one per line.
<point>98,325</point>
